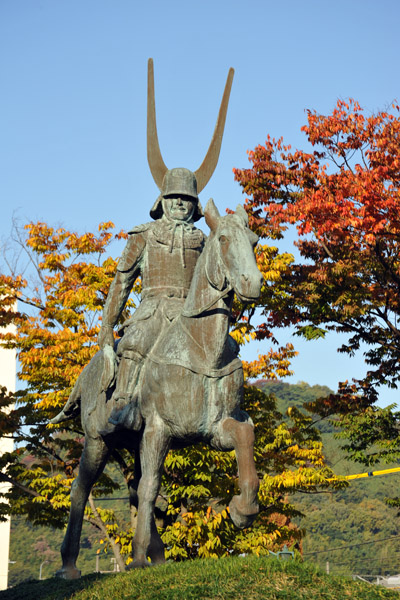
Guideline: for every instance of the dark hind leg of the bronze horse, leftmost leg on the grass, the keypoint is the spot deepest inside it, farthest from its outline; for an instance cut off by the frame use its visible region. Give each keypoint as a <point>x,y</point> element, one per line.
<point>93,460</point>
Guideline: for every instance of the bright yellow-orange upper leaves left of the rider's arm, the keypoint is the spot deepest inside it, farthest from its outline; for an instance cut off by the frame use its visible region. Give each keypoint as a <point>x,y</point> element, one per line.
<point>58,337</point>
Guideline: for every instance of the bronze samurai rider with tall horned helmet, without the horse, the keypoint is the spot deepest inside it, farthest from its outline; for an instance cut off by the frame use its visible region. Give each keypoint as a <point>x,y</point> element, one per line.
<point>164,253</point>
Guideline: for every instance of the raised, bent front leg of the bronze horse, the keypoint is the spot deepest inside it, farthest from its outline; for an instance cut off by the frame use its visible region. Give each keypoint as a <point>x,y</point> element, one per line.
<point>240,437</point>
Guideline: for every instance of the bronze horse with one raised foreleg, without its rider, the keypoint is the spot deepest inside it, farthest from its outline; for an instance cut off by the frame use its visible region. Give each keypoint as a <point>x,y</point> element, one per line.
<point>191,387</point>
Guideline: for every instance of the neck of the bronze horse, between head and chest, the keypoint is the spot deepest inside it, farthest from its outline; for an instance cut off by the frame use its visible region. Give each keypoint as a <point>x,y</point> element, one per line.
<point>209,328</point>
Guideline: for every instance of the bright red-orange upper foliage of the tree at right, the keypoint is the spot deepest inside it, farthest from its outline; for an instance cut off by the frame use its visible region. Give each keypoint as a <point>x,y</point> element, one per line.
<point>331,191</point>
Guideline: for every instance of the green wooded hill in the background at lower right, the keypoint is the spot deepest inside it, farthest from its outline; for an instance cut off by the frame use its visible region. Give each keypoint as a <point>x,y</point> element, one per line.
<point>357,515</point>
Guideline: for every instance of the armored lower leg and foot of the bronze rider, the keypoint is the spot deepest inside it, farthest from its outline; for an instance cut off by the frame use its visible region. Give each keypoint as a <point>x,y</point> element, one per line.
<point>126,412</point>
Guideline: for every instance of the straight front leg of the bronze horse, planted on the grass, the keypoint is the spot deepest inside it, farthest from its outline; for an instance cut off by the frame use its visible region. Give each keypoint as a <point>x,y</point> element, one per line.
<point>153,450</point>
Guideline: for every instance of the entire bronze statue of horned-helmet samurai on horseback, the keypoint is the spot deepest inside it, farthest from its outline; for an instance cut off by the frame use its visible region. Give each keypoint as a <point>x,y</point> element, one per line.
<point>174,378</point>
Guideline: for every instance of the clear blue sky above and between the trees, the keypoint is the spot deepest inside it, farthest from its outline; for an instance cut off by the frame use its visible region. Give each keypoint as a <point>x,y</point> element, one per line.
<point>73,102</point>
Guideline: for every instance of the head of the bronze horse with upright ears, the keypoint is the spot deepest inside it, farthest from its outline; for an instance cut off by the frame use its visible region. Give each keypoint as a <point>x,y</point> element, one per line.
<point>232,263</point>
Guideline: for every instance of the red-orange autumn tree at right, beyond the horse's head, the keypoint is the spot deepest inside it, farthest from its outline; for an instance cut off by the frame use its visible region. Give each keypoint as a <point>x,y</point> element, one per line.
<point>343,197</point>
